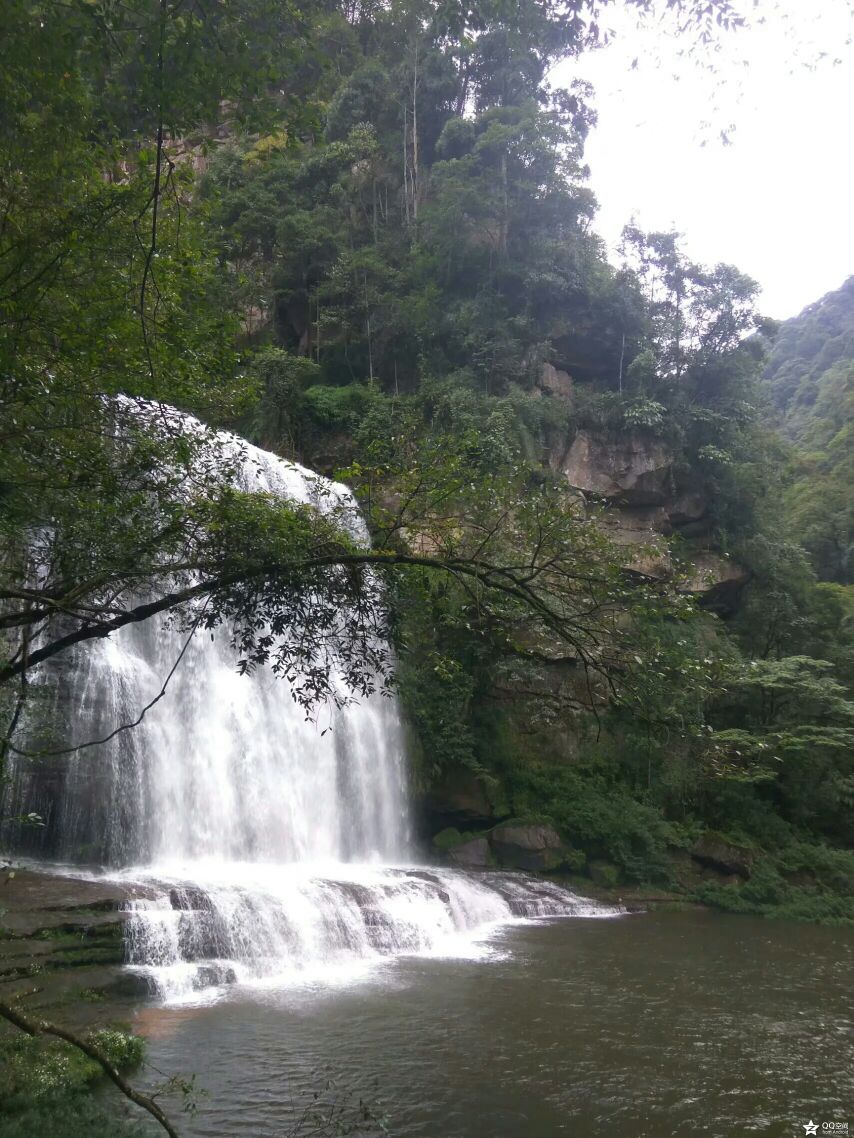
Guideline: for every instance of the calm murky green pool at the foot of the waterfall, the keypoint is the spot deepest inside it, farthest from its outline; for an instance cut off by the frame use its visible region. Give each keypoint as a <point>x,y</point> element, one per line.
<point>658,1025</point>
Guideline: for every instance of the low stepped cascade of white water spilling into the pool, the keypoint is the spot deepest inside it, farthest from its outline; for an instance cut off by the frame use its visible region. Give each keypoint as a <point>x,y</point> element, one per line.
<point>194,930</point>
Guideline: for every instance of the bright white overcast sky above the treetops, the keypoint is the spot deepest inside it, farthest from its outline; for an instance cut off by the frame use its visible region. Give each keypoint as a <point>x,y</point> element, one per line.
<point>778,202</point>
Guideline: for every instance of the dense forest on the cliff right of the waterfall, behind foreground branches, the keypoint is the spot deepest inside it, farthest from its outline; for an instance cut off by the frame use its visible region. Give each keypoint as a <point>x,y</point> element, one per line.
<point>423,282</point>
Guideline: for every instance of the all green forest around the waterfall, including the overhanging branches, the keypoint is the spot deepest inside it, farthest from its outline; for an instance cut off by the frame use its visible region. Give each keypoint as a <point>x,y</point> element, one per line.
<point>363,235</point>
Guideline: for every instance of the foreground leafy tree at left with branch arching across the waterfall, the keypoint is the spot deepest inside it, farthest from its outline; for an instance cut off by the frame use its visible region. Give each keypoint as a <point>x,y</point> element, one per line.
<point>113,508</point>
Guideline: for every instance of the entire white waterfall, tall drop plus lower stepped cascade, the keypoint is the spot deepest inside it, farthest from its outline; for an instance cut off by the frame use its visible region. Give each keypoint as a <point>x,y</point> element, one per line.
<point>257,846</point>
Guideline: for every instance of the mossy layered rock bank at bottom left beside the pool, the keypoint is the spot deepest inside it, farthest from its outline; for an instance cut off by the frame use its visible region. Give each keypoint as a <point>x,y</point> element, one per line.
<point>62,952</point>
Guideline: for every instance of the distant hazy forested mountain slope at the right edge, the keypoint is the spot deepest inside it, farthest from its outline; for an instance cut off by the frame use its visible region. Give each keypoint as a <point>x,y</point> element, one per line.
<point>810,376</point>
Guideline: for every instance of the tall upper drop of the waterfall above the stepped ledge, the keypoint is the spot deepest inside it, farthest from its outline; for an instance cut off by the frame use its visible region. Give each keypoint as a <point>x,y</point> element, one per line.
<point>225,768</point>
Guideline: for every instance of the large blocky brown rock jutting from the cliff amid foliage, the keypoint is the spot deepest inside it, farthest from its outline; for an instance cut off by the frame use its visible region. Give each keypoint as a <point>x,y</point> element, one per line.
<point>633,468</point>
